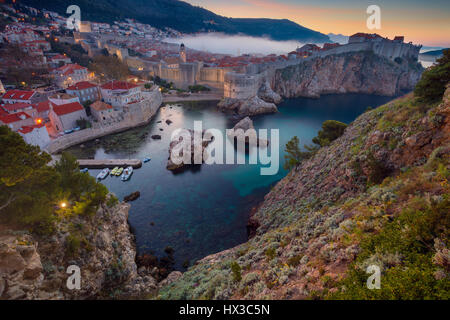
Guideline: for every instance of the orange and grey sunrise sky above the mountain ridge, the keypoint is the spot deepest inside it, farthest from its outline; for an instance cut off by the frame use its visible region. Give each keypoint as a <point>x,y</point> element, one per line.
<point>426,22</point>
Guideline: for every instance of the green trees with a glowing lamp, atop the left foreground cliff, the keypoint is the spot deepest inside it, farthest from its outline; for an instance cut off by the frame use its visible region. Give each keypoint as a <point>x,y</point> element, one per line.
<point>31,191</point>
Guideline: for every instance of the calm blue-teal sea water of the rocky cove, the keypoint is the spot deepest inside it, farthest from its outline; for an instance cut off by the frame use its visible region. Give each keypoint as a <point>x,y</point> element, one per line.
<point>205,210</point>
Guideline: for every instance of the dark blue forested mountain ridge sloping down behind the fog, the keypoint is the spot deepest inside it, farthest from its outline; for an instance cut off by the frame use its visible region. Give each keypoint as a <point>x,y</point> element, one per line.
<point>181,16</point>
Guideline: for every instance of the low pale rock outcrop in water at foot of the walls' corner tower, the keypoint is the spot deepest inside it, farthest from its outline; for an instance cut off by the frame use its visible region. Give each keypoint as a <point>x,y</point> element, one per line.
<point>247,107</point>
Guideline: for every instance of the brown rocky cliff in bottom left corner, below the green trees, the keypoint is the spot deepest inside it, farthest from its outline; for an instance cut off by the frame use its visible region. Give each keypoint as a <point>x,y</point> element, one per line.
<point>34,267</point>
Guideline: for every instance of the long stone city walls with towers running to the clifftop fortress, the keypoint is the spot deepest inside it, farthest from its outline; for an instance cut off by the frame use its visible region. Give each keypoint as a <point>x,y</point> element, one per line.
<point>242,81</point>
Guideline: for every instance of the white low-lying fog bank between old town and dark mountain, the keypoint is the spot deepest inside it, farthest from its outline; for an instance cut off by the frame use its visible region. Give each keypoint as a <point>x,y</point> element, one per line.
<point>236,44</point>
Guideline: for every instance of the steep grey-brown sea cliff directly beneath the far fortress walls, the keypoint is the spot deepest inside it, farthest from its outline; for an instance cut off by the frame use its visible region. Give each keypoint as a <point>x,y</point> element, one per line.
<point>356,72</point>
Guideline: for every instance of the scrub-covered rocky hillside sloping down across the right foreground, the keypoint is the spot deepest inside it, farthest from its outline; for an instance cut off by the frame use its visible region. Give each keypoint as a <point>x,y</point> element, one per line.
<point>312,223</point>
